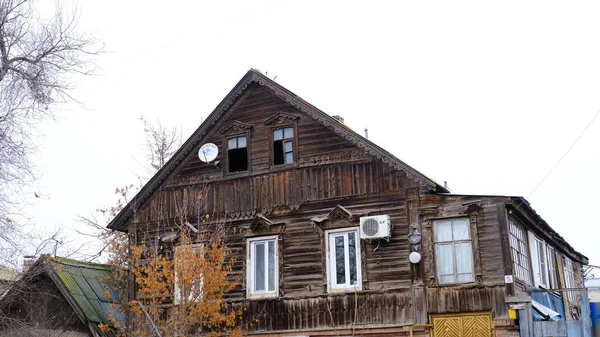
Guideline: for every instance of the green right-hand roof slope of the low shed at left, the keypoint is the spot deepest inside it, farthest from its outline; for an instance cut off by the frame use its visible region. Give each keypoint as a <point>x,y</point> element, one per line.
<point>87,283</point>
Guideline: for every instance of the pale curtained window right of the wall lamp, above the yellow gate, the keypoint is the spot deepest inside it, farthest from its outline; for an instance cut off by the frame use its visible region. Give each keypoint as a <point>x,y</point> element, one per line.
<point>453,251</point>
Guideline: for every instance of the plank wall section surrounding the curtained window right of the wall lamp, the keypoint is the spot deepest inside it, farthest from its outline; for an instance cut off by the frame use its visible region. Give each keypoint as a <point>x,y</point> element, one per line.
<point>488,291</point>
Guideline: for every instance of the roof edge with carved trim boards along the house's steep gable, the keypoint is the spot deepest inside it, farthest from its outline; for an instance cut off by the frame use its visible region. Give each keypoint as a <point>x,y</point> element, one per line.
<point>218,119</point>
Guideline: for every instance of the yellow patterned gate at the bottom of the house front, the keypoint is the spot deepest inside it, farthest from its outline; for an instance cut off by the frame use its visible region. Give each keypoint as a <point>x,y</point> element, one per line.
<point>472,324</point>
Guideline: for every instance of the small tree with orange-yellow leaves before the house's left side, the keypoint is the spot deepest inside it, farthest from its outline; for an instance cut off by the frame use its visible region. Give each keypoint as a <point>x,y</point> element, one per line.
<point>176,275</point>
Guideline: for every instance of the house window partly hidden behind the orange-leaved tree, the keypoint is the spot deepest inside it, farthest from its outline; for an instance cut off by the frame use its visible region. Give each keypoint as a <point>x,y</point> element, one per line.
<point>189,282</point>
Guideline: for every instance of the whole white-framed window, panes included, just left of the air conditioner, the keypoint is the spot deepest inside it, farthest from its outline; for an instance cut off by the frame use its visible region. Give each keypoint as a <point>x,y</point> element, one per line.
<point>343,260</point>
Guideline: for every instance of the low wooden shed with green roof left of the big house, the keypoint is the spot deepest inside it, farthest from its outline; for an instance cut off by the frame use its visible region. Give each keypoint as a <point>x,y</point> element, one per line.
<point>60,297</point>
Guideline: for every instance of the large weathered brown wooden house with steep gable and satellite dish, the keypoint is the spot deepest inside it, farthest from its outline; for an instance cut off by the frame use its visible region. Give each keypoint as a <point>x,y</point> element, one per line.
<point>336,236</point>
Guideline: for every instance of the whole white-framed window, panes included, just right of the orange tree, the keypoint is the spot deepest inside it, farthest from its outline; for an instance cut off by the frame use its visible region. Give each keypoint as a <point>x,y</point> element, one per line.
<point>262,267</point>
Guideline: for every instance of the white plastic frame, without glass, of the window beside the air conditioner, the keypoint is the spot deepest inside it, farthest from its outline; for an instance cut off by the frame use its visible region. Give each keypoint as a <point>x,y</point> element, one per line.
<point>332,286</point>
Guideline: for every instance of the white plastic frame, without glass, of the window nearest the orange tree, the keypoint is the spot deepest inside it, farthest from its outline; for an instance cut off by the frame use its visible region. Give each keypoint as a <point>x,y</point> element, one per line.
<point>250,268</point>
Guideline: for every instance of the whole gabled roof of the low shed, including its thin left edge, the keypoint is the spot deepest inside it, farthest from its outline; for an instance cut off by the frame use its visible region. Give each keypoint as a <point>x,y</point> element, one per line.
<point>88,288</point>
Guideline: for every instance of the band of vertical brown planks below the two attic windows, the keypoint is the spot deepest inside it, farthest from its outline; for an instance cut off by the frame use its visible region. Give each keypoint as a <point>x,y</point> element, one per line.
<point>245,196</point>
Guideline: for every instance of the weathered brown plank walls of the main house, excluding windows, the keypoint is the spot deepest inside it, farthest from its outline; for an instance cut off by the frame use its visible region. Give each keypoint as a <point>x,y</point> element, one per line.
<point>297,199</point>
